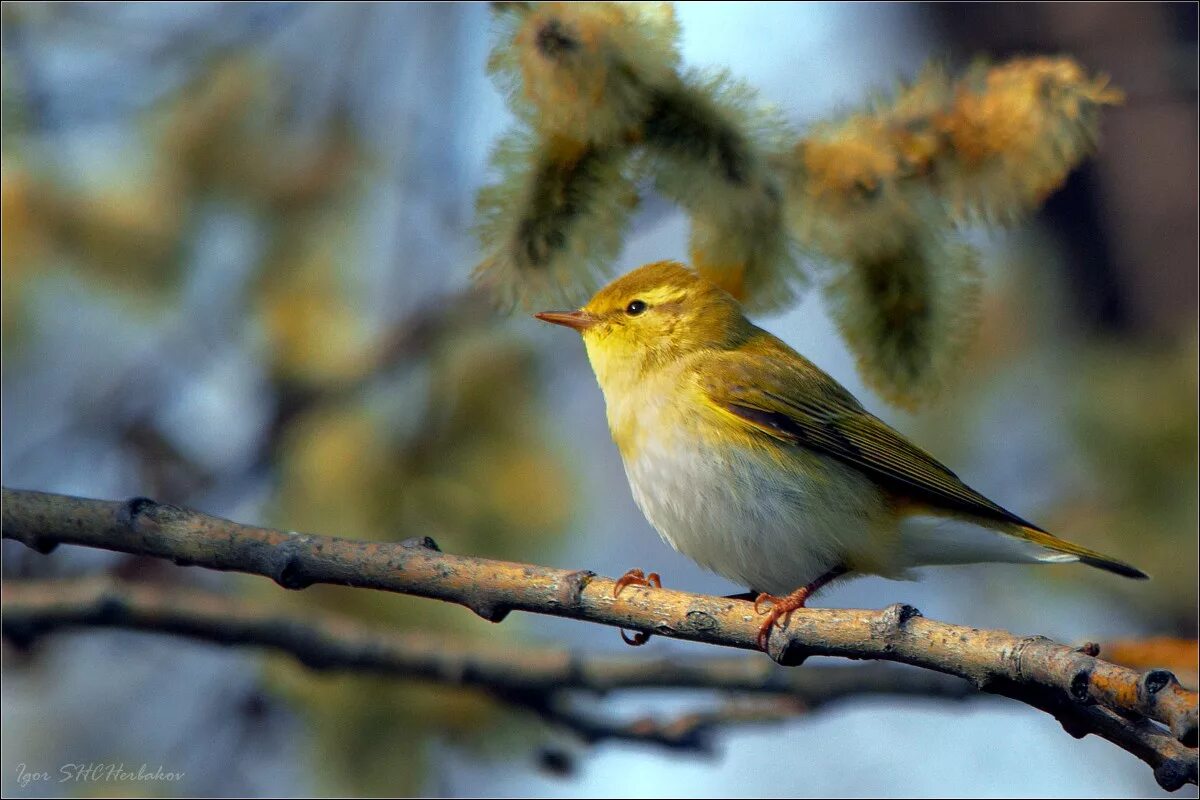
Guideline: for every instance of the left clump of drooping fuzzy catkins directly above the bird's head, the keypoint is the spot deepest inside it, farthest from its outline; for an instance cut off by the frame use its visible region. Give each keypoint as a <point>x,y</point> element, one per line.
<point>604,105</point>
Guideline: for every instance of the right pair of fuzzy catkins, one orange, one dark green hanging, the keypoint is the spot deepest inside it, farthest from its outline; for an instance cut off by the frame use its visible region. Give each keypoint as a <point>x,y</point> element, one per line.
<point>884,193</point>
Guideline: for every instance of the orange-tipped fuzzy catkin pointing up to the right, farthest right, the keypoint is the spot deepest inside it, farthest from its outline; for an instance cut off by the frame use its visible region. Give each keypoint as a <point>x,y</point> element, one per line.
<point>988,148</point>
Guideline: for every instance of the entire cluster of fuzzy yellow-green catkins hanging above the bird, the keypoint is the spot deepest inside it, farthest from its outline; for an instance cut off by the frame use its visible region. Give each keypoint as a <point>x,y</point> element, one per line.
<point>880,197</point>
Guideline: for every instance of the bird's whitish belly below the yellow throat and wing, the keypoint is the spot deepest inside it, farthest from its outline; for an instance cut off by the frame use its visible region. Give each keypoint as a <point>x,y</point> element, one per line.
<point>735,514</point>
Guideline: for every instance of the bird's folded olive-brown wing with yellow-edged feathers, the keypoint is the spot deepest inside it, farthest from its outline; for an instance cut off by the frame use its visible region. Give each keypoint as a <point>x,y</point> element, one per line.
<point>773,392</point>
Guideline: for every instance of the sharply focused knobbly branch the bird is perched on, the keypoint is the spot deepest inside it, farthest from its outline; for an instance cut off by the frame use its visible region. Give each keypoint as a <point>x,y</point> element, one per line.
<point>1085,694</point>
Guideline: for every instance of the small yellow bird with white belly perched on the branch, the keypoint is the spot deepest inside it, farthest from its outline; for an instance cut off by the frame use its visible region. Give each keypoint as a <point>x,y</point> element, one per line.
<point>752,461</point>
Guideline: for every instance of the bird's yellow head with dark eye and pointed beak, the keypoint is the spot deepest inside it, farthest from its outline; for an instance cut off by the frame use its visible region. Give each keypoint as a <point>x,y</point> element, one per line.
<point>652,317</point>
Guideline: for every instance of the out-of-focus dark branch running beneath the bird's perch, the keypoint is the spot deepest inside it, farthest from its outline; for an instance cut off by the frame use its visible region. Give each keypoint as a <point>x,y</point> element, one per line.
<point>532,678</point>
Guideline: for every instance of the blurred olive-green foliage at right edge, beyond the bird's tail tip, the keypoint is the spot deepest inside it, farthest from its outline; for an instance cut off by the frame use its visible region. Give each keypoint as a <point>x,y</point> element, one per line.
<point>1135,423</point>
